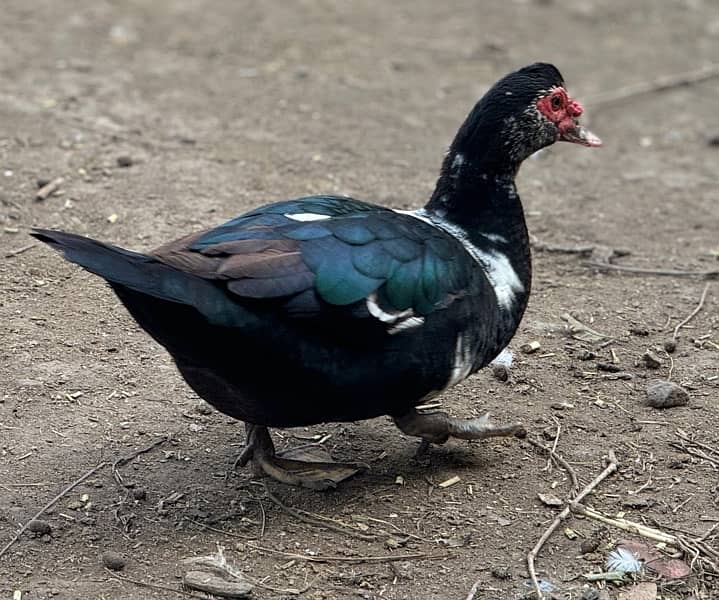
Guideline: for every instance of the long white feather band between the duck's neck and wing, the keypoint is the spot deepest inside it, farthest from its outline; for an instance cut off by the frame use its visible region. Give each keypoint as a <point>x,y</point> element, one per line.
<point>497,266</point>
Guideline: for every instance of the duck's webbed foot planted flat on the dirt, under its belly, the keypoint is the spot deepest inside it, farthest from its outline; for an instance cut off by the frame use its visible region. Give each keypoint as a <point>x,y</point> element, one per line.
<point>308,472</point>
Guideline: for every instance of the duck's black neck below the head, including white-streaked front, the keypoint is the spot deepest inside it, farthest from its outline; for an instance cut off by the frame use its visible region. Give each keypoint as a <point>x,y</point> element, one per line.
<point>482,206</point>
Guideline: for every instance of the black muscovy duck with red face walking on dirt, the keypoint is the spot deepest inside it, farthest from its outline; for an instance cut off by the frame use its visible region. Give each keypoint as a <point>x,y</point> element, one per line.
<point>331,309</point>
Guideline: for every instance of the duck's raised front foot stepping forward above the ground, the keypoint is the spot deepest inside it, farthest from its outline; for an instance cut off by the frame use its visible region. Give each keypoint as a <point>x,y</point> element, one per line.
<point>437,428</point>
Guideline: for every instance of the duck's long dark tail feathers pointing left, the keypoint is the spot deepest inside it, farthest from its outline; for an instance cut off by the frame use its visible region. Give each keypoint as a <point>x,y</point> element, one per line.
<point>144,274</point>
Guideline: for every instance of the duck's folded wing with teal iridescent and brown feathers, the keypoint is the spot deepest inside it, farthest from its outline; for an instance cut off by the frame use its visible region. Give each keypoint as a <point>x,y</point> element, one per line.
<point>327,250</point>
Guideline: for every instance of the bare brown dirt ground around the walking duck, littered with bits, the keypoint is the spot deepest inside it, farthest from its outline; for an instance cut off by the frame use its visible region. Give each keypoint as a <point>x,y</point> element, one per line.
<point>163,117</point>
